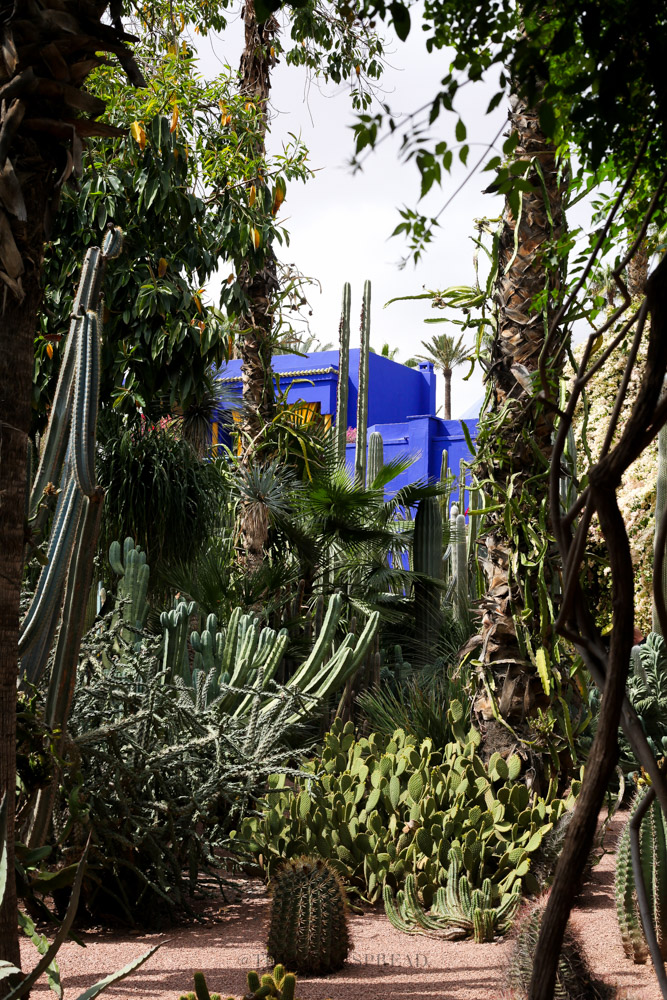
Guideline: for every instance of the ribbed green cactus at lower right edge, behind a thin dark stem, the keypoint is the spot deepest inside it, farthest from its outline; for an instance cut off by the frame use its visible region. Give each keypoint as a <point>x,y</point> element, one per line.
<point>653,856</point>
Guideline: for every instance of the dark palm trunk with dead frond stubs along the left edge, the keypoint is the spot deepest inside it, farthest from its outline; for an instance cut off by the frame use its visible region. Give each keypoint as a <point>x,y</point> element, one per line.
<point>49,50</point>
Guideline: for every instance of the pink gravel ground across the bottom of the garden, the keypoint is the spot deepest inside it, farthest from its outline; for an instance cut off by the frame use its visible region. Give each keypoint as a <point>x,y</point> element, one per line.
<point>383,964</point>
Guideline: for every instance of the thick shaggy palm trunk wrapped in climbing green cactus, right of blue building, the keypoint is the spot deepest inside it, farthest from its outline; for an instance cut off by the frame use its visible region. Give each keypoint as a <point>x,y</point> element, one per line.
<point>522,276</point>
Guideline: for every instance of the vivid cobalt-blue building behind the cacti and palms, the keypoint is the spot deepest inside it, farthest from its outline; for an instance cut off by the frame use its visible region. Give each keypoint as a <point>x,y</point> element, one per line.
<point>401,406</point>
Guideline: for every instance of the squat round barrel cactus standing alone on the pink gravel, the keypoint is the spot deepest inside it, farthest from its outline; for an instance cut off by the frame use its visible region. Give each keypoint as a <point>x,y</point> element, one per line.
<point>308,929</point>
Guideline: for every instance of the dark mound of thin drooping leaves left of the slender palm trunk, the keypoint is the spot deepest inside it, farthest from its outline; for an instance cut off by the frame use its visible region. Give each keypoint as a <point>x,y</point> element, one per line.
<point>157,490</point>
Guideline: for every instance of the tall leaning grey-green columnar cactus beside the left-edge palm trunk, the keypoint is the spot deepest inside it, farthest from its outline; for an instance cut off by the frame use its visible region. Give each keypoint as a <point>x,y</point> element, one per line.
<point>68,459</point>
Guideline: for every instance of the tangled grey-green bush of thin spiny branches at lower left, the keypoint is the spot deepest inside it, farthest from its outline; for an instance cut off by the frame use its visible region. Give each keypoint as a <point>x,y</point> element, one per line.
<point>157,779</point>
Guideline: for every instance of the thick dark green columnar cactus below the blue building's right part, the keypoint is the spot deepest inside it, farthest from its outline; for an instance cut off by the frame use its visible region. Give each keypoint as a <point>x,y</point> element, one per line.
<point>427,562</point>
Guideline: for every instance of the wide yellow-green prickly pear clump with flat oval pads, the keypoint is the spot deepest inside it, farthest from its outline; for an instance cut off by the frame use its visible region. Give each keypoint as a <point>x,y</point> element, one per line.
<point>385,807</point>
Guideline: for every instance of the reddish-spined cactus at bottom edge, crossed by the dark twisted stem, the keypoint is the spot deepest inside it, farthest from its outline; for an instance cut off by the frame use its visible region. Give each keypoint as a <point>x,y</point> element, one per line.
<point>574,979</point>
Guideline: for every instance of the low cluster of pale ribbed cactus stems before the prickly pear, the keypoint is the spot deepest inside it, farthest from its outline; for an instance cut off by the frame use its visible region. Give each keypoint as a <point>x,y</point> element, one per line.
<point>458,910</point>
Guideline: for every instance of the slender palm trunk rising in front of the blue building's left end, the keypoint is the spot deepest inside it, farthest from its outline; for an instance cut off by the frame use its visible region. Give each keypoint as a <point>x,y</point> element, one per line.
<point>259,287</point>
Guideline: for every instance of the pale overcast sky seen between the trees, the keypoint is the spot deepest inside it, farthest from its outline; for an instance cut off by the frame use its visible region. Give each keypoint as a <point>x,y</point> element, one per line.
<point>340,223</point>
